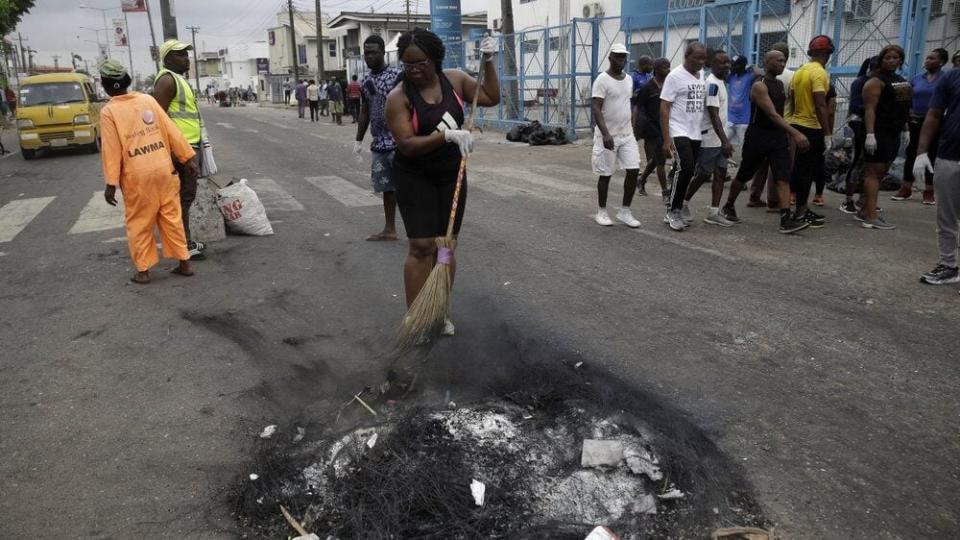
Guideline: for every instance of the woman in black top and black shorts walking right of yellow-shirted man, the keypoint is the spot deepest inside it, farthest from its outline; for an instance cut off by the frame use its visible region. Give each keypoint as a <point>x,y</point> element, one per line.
<point>886,98</point>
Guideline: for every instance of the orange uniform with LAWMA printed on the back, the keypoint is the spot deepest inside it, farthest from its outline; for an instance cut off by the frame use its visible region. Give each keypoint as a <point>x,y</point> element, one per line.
<point>137,140</point>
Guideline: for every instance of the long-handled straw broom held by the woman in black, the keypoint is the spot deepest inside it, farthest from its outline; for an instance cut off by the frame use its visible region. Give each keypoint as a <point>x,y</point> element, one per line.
<point>432,304</point>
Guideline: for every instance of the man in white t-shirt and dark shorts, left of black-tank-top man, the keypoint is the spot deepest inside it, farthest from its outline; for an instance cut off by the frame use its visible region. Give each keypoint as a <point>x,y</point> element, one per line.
<point>716,148</point>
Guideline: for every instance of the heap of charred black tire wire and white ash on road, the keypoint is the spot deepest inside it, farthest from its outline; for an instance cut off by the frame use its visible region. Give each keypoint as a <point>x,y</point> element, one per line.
<point>418,474</point>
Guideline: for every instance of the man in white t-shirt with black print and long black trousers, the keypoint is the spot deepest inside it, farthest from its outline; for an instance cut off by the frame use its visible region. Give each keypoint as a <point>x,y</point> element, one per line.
<point>682,101</point>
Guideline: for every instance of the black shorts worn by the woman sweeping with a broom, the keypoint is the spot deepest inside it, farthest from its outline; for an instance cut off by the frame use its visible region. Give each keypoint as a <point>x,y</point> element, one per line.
<point>425,203</point>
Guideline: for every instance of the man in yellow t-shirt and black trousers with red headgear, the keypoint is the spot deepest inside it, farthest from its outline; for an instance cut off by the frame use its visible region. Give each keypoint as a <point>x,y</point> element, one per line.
<point>810,114</point>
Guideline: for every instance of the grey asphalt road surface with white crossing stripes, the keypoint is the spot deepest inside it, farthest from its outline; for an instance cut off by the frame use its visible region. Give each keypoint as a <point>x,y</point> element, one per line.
<point>817,361</point>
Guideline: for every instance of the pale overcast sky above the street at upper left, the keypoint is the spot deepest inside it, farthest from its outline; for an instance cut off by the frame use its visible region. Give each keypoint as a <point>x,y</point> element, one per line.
<point>53,27</point>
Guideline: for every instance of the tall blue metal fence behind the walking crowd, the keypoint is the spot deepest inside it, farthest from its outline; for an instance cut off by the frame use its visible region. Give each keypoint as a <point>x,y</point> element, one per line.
<point>546,73</point>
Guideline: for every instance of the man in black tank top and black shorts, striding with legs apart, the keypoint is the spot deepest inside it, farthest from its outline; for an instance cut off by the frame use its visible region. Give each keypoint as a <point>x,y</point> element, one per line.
<point>766,139</point>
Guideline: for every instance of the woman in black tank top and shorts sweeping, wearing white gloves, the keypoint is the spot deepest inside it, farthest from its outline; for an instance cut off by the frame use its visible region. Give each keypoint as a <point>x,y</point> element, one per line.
<point>425,113</point>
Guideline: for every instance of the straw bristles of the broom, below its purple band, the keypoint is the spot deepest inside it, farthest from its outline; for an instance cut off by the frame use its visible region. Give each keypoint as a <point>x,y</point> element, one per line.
<point>430,307</point>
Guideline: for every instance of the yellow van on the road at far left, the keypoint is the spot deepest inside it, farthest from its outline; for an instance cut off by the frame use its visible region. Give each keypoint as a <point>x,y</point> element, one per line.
<point>58,110</point>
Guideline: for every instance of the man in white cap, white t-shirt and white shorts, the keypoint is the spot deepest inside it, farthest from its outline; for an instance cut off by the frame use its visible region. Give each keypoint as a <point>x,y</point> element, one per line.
<point>613,141</point>
